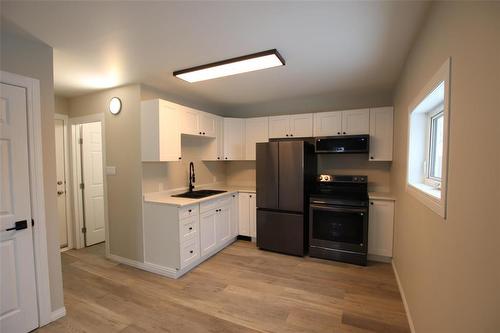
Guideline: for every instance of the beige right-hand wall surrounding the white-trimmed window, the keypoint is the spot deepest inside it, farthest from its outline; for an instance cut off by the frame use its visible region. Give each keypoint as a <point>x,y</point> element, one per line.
<point>450,269</point>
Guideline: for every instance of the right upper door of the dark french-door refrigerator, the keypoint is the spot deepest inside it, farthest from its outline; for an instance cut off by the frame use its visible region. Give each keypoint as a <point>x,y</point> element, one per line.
<point>291,176</point>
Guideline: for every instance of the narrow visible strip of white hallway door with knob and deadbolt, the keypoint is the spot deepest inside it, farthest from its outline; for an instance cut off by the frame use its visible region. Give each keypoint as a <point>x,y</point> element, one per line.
<point>61,181</point>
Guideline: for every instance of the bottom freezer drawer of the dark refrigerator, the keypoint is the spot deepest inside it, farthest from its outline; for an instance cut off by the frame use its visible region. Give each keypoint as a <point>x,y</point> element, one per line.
<point>280,232</point>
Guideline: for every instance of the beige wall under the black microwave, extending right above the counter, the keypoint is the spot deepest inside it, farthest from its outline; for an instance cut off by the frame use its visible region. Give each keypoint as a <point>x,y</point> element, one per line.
<point>379,173</point>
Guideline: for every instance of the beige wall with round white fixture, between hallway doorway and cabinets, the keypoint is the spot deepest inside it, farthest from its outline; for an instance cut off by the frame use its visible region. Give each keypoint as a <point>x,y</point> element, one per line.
<point>122,139</point>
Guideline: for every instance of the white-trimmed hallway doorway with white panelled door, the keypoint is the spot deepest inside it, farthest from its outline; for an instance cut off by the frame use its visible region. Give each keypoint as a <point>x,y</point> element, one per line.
<point>89,186</point>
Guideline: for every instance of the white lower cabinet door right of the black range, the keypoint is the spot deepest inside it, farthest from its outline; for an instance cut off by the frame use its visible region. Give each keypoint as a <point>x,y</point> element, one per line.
<point>380,227</point>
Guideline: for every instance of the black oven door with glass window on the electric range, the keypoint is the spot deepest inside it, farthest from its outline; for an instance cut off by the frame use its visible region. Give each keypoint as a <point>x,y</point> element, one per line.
<point>338,227</point>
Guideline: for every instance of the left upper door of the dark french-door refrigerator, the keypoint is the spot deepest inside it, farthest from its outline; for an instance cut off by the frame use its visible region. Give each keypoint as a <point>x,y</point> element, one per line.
<point>267,168</point>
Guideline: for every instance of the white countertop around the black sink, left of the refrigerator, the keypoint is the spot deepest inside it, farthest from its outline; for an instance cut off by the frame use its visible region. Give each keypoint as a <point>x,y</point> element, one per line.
<point>167,198</point>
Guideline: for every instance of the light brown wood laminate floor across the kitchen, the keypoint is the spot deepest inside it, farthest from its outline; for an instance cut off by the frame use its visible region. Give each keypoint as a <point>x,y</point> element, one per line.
<point>241,289</point>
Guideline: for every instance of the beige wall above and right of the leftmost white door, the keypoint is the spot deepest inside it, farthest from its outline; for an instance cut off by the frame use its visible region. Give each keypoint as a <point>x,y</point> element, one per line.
<point>21,54</point>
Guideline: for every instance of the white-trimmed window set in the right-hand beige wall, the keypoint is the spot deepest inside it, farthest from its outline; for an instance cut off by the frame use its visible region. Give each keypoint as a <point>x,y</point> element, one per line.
<point>427,143</point>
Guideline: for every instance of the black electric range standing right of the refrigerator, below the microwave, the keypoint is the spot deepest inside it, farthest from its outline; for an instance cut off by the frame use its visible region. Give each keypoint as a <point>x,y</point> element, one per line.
<point>338,218</point>
